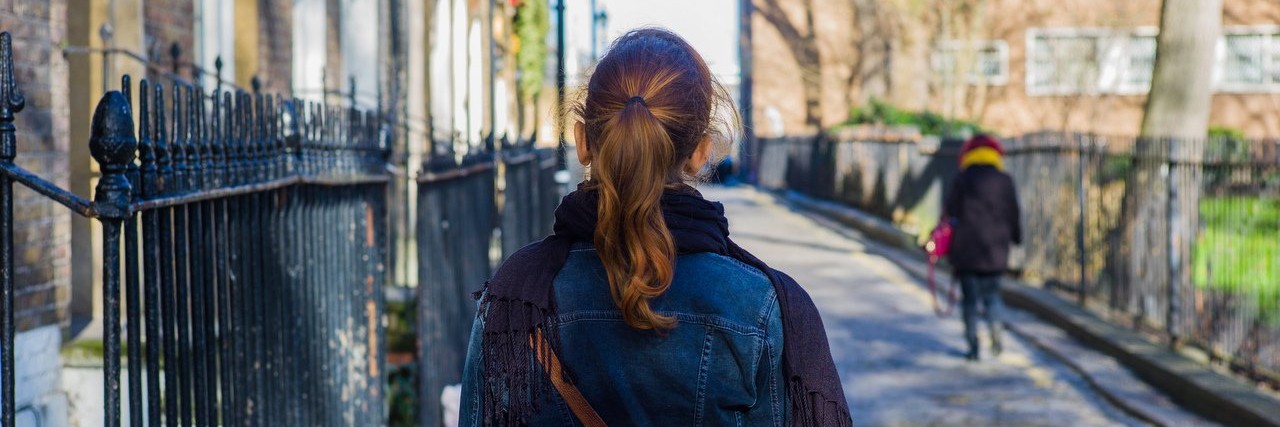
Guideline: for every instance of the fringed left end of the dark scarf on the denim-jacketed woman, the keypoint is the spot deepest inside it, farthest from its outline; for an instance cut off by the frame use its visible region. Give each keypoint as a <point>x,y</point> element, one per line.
<point>514,362</point>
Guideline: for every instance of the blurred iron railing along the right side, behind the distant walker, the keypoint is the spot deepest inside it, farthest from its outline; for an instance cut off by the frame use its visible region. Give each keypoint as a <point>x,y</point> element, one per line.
<point>1172,237</point>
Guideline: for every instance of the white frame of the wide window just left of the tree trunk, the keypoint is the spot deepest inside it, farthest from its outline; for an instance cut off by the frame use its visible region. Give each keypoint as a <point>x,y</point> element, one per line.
<point>1112,61</point>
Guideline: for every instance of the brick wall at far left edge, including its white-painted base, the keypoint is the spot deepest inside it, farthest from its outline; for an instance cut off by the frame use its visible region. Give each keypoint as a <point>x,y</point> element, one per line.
<point>42,227</point>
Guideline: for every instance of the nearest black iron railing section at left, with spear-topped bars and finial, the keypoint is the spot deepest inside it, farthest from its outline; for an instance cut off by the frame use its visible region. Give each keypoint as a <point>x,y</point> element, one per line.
<point>246,235</point>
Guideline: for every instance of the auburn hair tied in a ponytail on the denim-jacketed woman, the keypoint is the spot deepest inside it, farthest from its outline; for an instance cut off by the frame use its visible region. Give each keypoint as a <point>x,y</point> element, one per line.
<point>650,105</point>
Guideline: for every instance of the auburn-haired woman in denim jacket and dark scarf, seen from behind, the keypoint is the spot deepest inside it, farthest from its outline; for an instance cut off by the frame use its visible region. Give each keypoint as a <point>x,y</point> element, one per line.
<point>639,310</point>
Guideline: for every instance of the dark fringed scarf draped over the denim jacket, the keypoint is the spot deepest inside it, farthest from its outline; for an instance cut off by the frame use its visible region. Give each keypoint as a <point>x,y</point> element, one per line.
<point>520,301</point>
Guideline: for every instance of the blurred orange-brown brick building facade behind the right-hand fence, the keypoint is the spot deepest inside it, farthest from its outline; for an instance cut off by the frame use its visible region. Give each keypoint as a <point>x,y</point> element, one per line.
<point>1013,67</point>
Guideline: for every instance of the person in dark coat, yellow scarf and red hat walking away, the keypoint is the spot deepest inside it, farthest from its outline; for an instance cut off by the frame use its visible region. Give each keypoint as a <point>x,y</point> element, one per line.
<point>984,210</point>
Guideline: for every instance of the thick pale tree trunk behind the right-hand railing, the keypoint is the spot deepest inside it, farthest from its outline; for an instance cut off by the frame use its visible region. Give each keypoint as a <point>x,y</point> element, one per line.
<point>1160,210</point>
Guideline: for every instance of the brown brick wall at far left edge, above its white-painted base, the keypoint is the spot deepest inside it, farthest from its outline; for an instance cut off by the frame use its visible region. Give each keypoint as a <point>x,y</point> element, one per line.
<point>42,227</point>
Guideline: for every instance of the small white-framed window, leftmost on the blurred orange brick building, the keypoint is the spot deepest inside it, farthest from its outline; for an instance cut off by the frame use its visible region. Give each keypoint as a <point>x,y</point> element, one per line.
<point>982,62</point>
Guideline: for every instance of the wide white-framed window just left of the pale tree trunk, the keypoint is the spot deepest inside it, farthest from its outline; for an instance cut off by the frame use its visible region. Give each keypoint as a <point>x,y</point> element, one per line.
<point>1100,61</point>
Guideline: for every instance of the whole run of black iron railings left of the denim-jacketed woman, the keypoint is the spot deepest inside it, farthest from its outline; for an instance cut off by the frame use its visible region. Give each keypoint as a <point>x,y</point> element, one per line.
<point>249,240</point>
